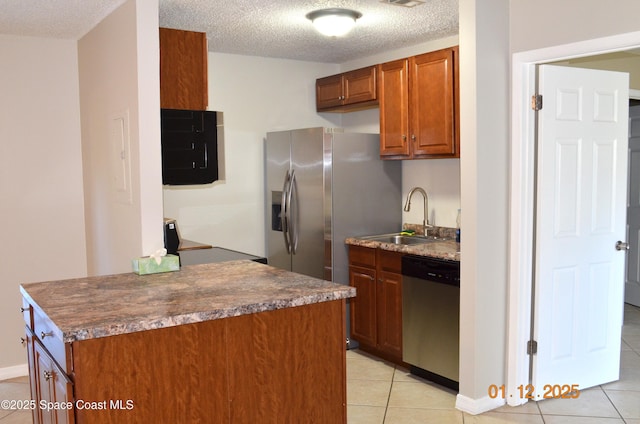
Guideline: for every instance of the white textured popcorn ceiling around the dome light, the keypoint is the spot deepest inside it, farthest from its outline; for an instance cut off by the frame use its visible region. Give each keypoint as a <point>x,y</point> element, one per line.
<point>270,28</point>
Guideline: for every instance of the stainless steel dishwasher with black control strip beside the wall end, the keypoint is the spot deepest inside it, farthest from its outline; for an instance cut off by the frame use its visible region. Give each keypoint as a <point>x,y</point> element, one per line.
<point>431,318</point>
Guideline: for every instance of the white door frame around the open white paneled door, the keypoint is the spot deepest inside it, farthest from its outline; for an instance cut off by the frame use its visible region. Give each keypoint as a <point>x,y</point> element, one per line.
<point>522,210</point>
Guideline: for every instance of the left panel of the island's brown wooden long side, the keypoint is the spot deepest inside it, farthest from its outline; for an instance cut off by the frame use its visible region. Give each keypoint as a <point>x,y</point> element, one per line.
<point>169,375</point>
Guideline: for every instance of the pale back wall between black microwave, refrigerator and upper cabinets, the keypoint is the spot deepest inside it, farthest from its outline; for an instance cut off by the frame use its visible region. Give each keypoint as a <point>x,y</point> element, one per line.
<point>281,95</point>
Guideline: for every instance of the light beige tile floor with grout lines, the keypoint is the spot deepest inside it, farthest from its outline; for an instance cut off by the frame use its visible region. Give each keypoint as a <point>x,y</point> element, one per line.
<point>381,393</point>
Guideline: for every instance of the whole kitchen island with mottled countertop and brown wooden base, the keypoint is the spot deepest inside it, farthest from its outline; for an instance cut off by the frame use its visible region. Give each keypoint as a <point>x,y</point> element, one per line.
<point>230,342</point>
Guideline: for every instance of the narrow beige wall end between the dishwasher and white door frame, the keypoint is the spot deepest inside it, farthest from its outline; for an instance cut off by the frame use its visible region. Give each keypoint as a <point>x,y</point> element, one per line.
<point>484,173</point>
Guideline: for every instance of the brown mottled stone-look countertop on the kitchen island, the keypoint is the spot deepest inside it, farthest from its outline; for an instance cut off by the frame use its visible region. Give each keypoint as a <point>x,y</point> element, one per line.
<point>93,307</point>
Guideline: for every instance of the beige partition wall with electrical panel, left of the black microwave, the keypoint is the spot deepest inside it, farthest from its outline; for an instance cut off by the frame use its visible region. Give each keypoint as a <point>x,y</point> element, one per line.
<point>118,80</point>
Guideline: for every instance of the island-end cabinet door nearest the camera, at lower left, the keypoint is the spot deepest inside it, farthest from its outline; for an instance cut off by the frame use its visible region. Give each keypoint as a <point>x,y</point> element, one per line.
<point>52,386</point>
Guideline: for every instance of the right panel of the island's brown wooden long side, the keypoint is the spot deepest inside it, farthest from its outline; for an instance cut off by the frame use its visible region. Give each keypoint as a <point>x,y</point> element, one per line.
<point>289,365</point>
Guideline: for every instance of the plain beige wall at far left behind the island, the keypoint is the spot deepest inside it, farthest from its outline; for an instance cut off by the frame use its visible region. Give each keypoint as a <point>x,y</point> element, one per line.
<point>41,199</point>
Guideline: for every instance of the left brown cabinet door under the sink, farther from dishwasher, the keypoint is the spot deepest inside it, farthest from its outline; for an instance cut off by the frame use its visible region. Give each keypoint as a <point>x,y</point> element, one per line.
<point>363,306</point>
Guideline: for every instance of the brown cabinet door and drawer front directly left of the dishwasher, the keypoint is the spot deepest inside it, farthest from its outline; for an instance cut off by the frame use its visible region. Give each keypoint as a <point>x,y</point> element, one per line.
<point>389,303</point>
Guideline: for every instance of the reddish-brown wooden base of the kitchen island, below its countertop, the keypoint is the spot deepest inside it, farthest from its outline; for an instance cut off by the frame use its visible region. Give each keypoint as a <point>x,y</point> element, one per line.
<point>279,366</point>
